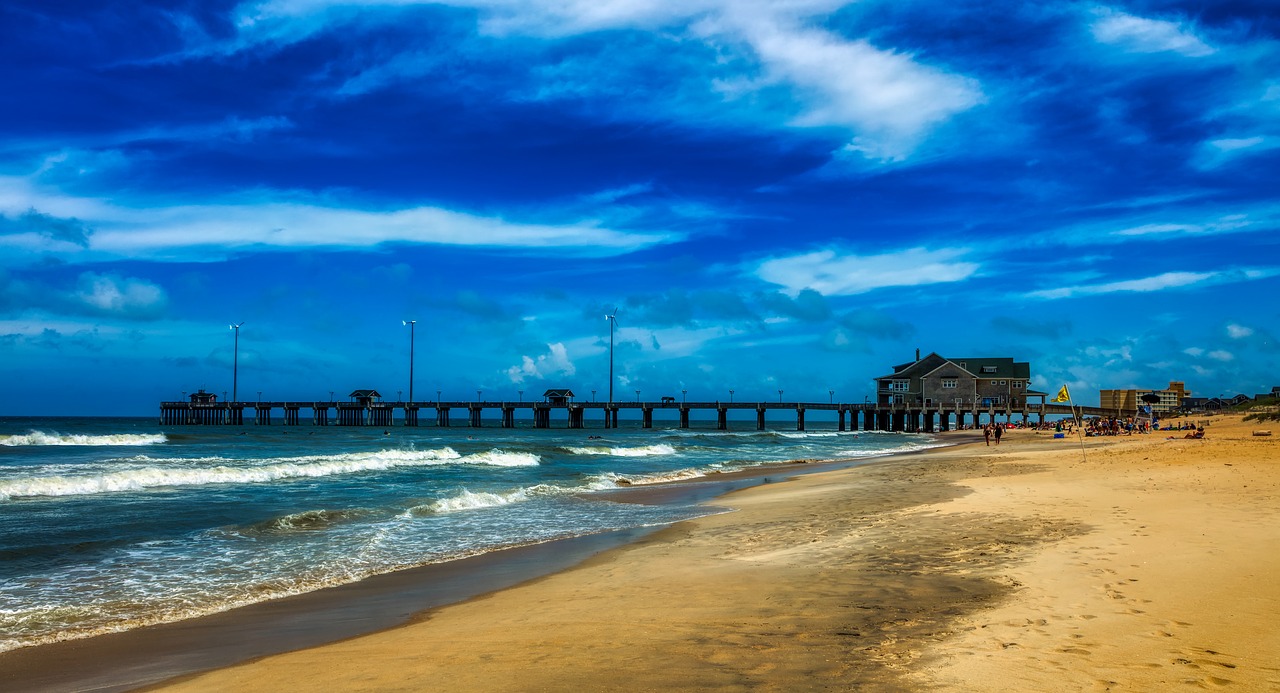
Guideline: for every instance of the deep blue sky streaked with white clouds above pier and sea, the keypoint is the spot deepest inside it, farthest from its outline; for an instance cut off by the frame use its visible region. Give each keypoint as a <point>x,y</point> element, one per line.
<point>772,195</point>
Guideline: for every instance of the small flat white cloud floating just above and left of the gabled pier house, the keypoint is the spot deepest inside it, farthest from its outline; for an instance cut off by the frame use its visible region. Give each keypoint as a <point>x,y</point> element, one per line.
<point>833,275</point>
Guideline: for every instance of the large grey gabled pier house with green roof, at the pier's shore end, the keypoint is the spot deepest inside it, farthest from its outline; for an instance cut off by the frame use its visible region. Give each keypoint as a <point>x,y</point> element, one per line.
<point>972,382</point>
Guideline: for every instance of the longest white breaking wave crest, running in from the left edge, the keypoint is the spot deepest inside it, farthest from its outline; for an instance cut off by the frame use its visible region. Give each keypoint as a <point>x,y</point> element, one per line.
<point>161,473</point>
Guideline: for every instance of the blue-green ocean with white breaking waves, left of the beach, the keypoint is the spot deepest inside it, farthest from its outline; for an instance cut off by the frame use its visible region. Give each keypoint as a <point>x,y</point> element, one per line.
<point>109,525</point>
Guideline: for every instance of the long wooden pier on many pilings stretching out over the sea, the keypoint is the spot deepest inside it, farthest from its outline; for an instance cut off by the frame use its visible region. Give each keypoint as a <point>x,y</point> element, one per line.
<point>575,416</point>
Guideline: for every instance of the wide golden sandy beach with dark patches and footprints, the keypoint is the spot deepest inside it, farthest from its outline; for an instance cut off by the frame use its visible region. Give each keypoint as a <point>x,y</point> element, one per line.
<point>1148,564</point>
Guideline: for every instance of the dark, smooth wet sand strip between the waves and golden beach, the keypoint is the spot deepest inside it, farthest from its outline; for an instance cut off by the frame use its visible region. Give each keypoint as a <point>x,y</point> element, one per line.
<point>149,655</point>
